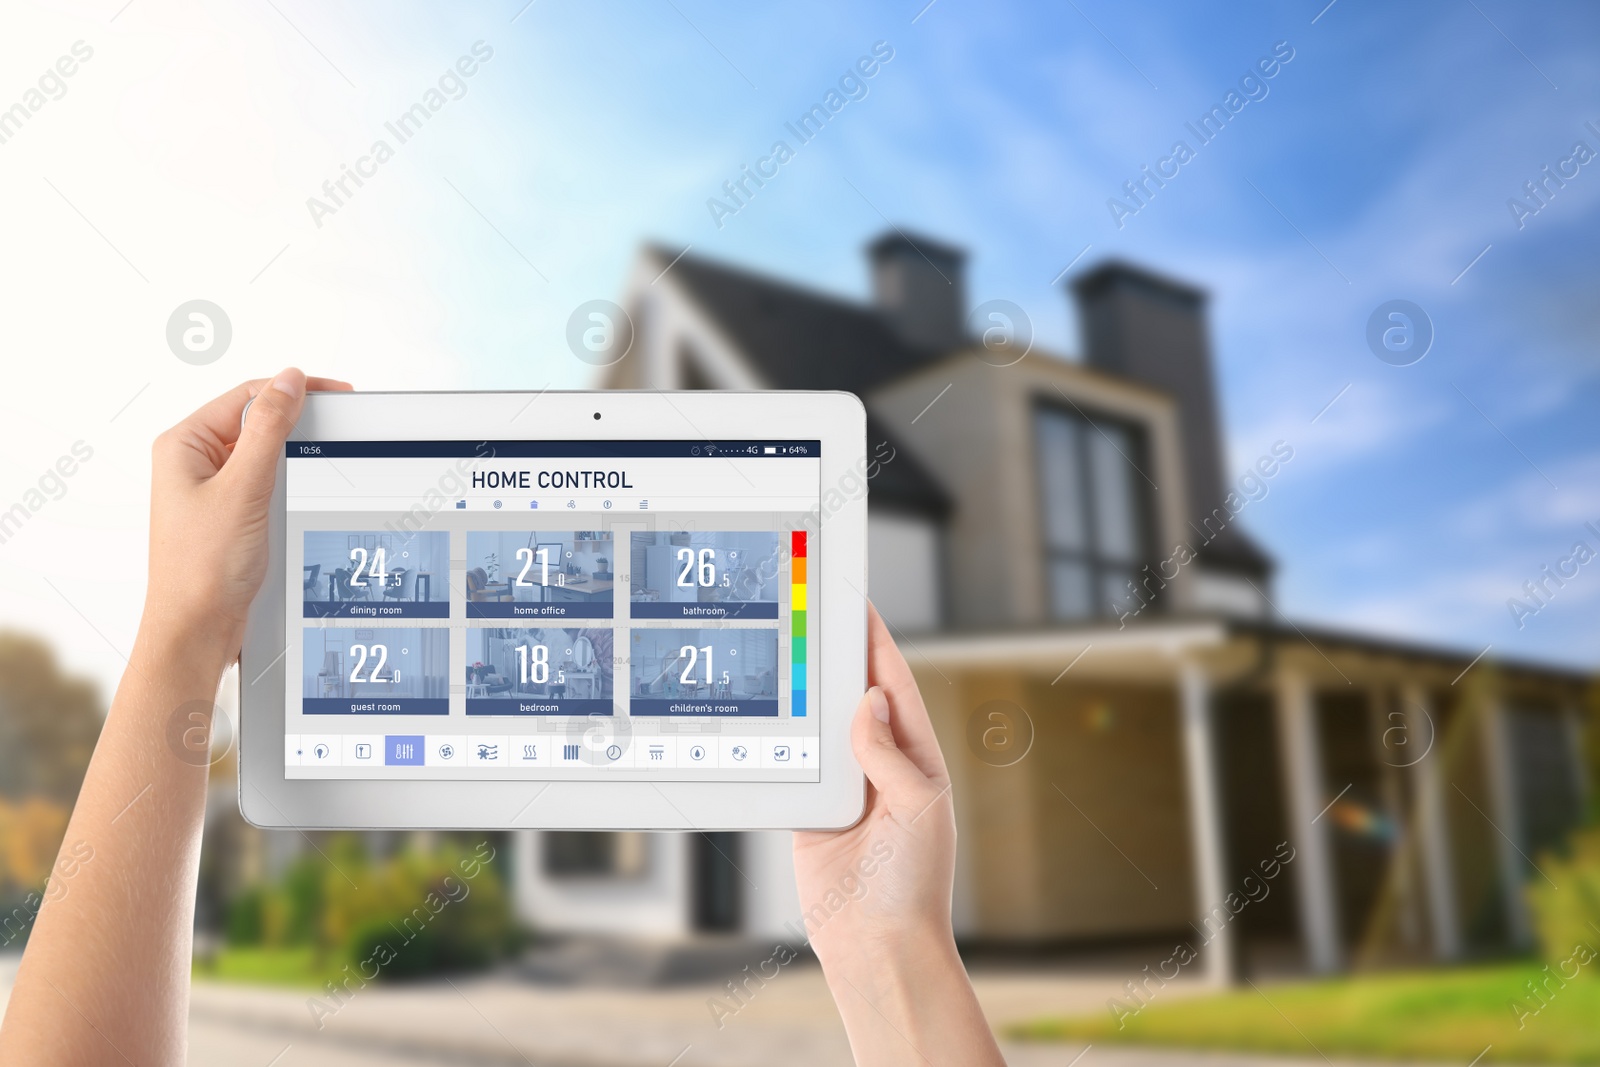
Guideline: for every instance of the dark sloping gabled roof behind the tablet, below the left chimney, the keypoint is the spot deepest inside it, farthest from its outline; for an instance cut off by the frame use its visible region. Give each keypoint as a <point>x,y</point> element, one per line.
<point>799,338</point>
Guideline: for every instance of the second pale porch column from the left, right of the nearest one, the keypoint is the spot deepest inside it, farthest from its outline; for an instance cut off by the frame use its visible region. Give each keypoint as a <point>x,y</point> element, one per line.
<point>1308,821</point>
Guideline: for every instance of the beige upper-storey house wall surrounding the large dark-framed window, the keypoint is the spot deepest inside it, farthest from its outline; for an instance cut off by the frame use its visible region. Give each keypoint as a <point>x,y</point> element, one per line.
<point>978,439</point>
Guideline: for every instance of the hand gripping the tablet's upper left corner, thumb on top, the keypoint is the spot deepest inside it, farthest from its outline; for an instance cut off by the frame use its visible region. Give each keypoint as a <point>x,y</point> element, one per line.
<point>212,484</point>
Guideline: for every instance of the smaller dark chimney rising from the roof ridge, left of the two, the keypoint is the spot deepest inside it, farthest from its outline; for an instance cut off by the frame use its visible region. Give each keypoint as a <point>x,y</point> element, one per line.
<point>919,287</point>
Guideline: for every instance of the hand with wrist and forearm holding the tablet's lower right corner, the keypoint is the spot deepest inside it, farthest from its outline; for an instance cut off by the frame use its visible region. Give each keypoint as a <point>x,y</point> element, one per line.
<point>876,898</point>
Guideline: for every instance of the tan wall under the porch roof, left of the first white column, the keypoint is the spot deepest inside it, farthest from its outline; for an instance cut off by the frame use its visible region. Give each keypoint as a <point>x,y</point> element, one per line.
<point>1039,841</point>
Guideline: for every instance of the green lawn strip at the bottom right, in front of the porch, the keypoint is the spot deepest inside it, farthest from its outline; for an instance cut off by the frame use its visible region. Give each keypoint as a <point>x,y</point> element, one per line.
<point>1447,1017</point>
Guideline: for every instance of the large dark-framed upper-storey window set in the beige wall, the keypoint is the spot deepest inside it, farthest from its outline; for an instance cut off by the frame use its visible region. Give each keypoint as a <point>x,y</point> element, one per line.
<point>1094,511</point>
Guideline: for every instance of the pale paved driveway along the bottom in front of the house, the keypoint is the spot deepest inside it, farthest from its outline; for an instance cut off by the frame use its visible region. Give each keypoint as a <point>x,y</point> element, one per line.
<point>506,1021</point>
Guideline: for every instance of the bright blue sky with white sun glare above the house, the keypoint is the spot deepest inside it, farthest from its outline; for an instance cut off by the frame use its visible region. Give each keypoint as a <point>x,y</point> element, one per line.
<point>1378,167</point>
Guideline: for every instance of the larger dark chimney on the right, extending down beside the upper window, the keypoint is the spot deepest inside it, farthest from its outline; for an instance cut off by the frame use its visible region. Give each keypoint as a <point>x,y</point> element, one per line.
<point>1153,330</point>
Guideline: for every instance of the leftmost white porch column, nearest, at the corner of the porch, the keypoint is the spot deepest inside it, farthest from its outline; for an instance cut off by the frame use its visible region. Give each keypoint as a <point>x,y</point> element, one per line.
<point>1206,820</point>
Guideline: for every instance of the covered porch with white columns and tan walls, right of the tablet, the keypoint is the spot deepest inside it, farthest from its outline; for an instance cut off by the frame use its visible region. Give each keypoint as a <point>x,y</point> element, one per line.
<point>1271,797</point>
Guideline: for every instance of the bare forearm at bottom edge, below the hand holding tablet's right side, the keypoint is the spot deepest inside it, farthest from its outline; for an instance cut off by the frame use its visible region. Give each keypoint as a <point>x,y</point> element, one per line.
<point>911,1005</point>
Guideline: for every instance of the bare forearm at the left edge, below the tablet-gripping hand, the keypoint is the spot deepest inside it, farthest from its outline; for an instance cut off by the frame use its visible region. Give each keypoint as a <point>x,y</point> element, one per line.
<point>116,929</point>
